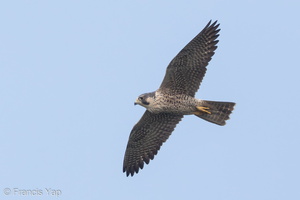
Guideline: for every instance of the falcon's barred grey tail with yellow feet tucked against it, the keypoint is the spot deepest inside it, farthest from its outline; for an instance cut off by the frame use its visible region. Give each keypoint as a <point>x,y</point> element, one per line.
<point>214,111</point>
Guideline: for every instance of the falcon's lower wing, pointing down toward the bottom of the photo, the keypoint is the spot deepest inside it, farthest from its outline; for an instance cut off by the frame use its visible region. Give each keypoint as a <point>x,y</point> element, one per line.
<point>146,138</point>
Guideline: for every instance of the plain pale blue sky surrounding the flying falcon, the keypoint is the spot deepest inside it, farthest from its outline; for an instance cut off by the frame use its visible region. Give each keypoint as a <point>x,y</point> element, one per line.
<point>71,70</point>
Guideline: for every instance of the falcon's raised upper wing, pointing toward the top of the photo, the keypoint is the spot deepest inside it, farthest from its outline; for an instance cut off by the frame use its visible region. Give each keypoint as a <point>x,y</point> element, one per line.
<point>186,71</point>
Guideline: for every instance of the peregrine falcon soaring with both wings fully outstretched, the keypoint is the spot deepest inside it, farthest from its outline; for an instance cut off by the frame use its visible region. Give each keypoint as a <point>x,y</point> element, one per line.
<point>175,98</point>
